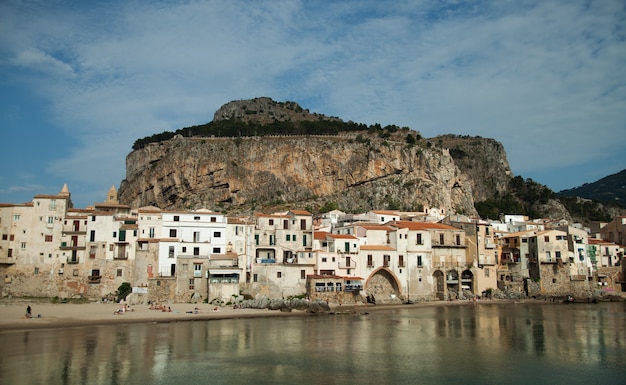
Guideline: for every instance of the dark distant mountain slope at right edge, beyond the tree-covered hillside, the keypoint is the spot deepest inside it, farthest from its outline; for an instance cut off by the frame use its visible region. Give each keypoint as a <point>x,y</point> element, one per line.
<point>610,189</point>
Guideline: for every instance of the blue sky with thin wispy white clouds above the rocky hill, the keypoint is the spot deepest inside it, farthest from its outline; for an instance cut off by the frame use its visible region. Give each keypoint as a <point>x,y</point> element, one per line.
<point>80,81</point>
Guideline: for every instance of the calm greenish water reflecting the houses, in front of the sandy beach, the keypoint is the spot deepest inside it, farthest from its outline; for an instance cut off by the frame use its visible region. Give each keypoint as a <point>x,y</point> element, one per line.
<point>484,344</point>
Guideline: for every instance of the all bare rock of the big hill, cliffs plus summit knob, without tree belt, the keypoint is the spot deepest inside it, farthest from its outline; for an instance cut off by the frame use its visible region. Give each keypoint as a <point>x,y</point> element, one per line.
<point>357,171</point>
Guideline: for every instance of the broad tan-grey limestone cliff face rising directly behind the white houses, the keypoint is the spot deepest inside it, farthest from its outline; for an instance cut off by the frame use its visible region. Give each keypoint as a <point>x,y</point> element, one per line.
<point>247,174</point>
